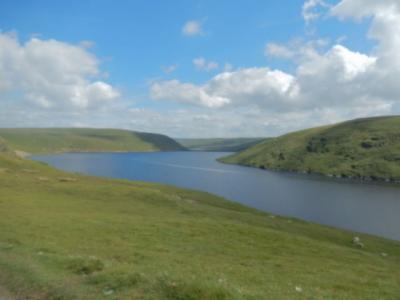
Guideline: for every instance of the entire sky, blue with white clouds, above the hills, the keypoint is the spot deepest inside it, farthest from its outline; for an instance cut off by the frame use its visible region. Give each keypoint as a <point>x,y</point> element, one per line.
<point>200,68</point>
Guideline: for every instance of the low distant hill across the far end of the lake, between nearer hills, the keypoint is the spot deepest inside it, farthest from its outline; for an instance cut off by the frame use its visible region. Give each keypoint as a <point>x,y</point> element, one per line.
<point>220,144</point>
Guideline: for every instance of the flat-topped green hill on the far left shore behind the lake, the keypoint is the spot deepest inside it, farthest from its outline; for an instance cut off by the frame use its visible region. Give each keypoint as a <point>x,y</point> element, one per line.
<point>81,139</point>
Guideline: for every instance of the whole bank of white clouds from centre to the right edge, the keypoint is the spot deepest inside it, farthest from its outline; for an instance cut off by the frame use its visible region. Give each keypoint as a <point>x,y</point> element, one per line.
<point>332,79</point>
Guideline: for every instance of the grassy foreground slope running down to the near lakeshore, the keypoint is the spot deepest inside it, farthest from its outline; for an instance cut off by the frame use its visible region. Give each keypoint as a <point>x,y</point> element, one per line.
<point>69,236</point>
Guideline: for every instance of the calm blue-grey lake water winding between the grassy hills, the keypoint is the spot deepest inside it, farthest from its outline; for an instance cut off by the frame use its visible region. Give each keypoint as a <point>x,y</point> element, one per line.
<point>368,208</point>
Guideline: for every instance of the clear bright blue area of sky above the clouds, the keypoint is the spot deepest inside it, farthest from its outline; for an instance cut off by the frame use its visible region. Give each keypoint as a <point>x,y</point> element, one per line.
<point>134,39</point>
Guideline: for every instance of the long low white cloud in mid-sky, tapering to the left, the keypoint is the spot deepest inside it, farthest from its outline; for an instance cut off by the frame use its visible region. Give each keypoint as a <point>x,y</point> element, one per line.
<point>261,86</point>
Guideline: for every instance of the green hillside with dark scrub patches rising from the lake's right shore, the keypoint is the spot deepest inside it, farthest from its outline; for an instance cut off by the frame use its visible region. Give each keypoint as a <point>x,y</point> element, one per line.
<point>363,148</point>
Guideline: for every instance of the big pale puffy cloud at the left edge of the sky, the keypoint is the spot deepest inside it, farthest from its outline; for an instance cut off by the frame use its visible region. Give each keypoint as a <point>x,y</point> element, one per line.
<point>50,73</point>
